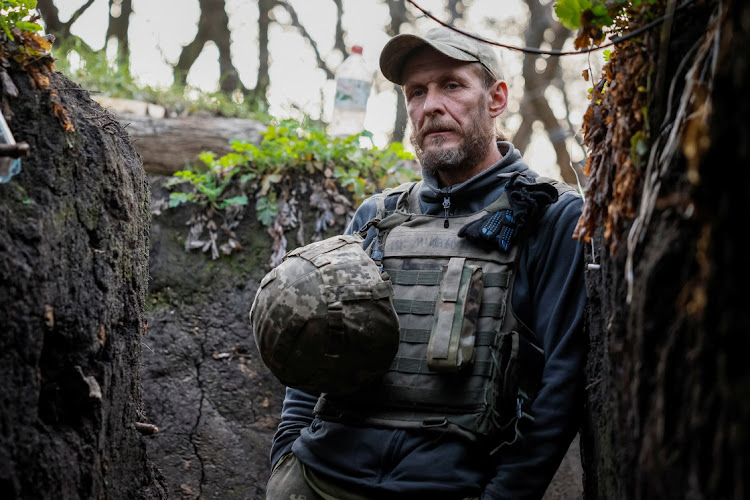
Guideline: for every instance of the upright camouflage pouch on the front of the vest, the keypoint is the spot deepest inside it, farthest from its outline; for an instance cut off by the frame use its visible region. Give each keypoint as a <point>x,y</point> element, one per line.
<point>451,345</point>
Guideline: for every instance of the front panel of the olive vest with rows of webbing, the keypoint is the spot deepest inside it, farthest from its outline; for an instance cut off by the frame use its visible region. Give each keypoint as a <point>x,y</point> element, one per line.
<point>443,369</point>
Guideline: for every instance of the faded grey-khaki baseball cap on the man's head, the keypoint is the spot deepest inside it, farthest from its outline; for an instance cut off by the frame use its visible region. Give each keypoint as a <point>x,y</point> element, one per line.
<point>443,39</point>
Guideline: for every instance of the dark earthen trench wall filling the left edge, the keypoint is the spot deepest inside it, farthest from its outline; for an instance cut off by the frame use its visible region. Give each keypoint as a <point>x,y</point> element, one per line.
<point>73,279</point>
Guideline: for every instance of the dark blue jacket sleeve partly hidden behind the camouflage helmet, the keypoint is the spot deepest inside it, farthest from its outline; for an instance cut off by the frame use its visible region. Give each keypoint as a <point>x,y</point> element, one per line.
<point>297,410</point>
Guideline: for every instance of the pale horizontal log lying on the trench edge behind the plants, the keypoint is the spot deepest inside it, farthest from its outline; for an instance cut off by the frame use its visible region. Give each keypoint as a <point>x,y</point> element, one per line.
<point>167,145</point>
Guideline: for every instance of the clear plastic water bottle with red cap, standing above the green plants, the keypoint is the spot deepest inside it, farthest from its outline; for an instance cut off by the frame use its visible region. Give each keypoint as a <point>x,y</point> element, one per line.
<point>353,83</point>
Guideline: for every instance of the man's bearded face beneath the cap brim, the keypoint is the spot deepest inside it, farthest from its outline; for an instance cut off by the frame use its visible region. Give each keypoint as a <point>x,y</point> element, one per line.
<point>453,127</point>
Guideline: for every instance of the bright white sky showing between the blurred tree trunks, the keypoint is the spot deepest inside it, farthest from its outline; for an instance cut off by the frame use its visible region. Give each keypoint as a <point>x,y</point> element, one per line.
<point>159,29</point>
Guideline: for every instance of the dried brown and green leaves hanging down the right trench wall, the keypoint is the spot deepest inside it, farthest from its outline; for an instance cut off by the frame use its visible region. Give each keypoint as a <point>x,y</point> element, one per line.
<point>615,125</point>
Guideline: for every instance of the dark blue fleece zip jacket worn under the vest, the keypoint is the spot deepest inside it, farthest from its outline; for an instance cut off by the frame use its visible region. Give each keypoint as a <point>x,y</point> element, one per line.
<point>549,297</point>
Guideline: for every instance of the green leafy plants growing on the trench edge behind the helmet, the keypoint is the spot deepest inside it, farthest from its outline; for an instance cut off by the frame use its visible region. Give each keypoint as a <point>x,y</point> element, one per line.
<point>289,148</point>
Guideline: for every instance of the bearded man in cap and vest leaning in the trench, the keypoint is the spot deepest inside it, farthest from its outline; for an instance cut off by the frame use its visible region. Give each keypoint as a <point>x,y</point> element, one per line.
<point>381,443</point>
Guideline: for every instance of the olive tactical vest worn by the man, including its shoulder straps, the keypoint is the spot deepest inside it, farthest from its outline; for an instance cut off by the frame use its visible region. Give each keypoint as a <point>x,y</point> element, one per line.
<point>465,364</point>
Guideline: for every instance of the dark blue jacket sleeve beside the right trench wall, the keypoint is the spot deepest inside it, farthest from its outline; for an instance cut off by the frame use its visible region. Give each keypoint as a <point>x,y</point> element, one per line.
<point>549,296</point>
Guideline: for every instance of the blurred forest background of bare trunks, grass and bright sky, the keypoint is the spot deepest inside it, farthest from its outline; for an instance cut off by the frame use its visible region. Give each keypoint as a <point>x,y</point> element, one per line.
<point>277,59</point>
